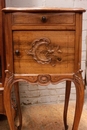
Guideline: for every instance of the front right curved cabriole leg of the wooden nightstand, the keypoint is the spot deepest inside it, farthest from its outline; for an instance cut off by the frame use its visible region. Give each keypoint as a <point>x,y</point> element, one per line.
<point>79,100</point>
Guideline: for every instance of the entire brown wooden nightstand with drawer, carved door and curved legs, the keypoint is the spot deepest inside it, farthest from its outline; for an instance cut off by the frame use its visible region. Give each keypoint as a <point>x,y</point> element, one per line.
<point>43,50</point>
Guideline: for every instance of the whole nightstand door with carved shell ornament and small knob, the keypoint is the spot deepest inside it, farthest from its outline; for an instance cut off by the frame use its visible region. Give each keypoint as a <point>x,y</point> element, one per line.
<point>37,52</point>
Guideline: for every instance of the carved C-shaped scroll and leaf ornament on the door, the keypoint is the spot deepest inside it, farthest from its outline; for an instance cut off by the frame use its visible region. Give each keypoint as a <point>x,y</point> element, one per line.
<point>44,52</point>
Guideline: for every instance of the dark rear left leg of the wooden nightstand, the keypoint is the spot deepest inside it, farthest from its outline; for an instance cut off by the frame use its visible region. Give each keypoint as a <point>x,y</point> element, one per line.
<point>16,88</point>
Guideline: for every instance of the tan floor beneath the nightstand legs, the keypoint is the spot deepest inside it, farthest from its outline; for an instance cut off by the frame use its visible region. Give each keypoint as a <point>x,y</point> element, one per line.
<point>46,117</point>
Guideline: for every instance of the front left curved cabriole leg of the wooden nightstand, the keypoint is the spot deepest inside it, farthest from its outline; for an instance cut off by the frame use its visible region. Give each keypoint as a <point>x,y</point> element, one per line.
<point>8,102</point>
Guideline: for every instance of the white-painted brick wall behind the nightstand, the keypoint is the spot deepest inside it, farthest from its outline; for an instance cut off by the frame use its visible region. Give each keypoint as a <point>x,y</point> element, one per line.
<point>53,93</point>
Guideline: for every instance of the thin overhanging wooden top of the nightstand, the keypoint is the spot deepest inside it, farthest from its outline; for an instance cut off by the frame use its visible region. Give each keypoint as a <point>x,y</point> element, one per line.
<point>11,9</point>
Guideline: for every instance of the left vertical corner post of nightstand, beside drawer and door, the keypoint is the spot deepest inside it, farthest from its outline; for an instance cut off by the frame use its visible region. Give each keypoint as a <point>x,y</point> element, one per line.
<point>8,40</point>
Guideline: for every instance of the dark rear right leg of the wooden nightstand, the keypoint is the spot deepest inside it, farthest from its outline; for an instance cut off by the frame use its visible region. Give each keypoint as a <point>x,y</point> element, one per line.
<point>67,95</point>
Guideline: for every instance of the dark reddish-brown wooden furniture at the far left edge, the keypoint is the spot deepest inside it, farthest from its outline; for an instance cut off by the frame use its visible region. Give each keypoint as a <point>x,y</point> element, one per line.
<point>2,111</point>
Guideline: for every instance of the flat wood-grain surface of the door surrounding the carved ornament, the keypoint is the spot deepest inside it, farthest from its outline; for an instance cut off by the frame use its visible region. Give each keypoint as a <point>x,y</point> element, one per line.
<point>26,63</point>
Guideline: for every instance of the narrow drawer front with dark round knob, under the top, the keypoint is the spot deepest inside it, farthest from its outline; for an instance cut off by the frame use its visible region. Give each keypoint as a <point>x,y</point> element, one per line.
<point>43,19</point>
